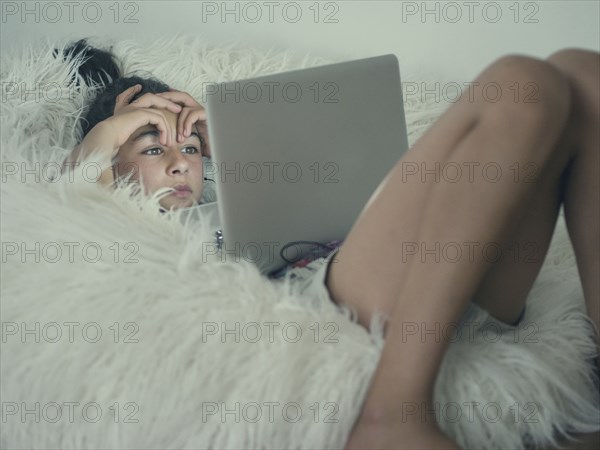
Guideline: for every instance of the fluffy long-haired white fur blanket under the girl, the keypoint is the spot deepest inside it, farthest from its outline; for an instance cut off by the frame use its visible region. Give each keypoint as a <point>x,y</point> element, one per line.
<point>119,332</point>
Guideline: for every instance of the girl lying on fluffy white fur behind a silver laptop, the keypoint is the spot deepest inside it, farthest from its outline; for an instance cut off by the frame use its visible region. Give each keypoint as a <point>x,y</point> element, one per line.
<point>158,137</point>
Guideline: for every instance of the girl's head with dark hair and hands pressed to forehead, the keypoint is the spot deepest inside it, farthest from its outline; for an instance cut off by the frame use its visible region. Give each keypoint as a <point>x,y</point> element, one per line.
<point>142,121</point>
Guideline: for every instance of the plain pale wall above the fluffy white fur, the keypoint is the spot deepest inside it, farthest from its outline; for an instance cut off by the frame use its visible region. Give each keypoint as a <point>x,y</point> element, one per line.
<point>456,39</point>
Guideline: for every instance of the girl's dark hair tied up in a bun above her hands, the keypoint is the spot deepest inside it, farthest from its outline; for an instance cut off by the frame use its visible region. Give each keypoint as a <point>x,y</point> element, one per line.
<point>99,67</point>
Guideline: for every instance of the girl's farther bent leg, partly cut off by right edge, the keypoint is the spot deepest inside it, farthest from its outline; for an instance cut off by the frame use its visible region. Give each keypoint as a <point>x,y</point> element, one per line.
<point>578,186</point>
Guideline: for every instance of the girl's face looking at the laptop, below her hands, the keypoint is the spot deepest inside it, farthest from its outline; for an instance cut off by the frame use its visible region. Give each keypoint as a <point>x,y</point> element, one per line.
<point>178,166</point>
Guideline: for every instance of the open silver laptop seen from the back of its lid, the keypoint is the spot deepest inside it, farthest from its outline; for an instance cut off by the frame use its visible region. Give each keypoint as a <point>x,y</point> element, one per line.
<point>297,155</point>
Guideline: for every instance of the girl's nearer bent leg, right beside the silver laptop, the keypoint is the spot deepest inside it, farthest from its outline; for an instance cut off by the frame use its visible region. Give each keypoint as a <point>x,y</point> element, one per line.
<point>372,273</point>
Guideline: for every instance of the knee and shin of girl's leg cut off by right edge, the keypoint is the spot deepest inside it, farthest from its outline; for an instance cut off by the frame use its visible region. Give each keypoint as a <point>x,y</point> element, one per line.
<point>582,187</point>
